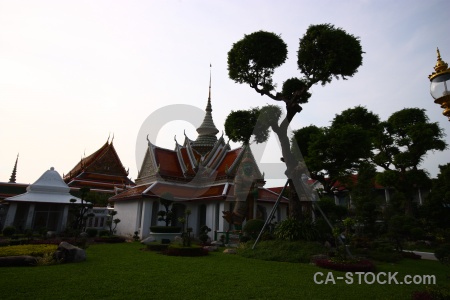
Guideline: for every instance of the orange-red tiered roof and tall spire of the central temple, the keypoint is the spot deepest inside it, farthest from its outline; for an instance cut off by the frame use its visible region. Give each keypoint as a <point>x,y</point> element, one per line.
<point>203,169</point>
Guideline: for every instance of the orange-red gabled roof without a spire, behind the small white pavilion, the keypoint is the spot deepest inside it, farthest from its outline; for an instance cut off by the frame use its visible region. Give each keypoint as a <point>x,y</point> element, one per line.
<point>101,171</point>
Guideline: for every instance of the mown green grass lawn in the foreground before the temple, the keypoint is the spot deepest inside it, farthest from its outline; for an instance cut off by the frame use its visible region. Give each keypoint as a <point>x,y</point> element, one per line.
<point>123,271</point>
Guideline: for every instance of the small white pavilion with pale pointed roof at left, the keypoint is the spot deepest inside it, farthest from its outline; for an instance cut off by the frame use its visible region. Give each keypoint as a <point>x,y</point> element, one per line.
<point>45,204</point>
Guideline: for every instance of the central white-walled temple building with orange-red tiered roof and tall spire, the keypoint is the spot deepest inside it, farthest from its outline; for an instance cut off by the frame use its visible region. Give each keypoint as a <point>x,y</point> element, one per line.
<point>220,186</point>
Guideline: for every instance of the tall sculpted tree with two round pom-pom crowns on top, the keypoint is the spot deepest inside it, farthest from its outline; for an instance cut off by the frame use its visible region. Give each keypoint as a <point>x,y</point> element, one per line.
<point>324,53</point>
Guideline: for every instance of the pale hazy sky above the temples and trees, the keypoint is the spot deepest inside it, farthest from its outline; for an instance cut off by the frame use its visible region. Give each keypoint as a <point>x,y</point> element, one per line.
<point>73,73</point>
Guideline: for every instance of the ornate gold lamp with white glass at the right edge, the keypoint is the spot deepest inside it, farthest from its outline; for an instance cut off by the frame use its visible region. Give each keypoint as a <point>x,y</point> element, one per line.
<point>440,84</point>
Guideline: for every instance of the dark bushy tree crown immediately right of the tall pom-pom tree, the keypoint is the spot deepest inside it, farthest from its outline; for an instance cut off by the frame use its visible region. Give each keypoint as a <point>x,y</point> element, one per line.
<point>334,153</point>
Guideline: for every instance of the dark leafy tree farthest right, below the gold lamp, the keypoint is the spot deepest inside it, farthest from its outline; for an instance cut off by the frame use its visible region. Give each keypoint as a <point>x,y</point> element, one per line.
<point>406,137</point>
